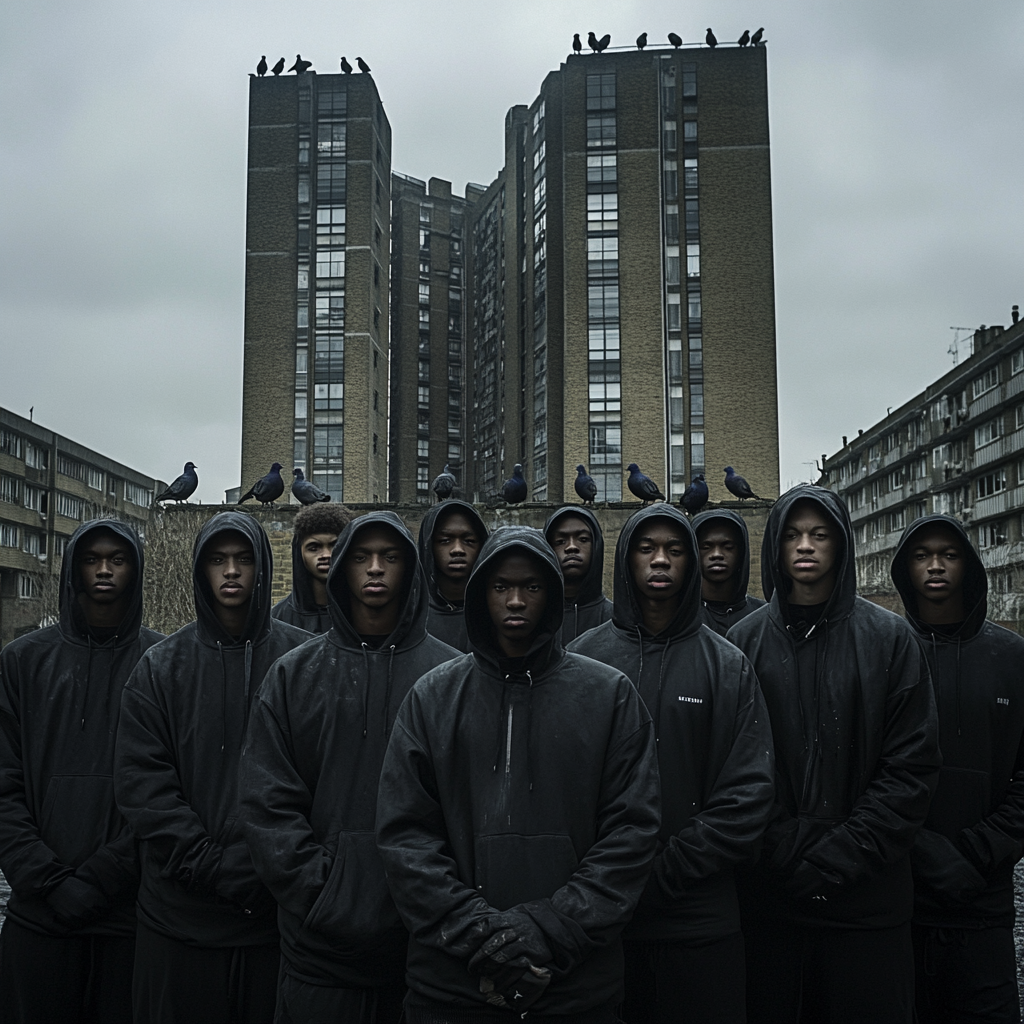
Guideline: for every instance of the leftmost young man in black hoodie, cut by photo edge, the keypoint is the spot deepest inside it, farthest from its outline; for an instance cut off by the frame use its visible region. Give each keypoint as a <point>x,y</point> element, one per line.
<point>68,945</point>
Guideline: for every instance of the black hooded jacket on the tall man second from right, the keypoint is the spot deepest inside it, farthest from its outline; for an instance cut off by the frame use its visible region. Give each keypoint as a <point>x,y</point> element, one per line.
<point>857,745</point>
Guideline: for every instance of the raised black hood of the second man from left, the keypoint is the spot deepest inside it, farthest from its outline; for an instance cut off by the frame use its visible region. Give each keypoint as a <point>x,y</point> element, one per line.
<point>259,621</point>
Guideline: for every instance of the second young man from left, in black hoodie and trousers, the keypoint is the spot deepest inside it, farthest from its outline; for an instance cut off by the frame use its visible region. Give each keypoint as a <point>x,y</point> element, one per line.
<point>207,947</point>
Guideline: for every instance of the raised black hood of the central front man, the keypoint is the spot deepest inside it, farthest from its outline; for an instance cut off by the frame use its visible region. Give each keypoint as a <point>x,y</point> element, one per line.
<point>504,541</point>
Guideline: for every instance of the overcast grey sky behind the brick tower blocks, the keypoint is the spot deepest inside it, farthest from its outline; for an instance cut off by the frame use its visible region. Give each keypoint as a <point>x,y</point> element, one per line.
<point>898,166</point>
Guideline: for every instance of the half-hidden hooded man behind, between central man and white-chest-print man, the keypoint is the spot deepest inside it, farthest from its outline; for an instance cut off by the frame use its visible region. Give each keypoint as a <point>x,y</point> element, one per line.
<point>576,537</point>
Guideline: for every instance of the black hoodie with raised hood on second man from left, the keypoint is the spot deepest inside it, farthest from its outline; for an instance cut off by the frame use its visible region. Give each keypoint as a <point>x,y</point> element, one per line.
<point>184,717</point>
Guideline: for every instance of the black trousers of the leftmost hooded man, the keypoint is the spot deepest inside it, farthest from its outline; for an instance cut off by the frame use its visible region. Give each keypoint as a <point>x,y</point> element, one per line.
<point>84,979</point>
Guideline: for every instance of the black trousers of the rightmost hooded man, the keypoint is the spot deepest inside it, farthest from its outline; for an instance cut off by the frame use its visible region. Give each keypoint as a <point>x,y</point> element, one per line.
<point>966,976</point>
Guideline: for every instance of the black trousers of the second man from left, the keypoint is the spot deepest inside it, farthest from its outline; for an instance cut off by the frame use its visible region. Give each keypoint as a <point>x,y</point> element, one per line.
<point>177,984</point>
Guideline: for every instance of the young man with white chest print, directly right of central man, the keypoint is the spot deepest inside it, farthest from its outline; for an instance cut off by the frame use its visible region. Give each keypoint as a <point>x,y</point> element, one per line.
<point>685,950</point>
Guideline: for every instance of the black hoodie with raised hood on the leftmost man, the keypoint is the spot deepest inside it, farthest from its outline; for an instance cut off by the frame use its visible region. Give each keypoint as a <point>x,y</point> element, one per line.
<point>60,702</point>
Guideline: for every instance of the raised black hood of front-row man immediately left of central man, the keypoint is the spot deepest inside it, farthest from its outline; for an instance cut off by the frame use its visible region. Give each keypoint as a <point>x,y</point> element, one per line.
<point>411,627</point>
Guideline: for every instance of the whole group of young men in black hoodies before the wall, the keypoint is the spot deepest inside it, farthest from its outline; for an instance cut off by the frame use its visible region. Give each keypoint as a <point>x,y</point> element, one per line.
<point>451,782</point>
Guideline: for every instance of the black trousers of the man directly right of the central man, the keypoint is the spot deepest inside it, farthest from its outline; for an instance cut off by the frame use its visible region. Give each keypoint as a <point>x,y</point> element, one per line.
<point>672,982</point>
